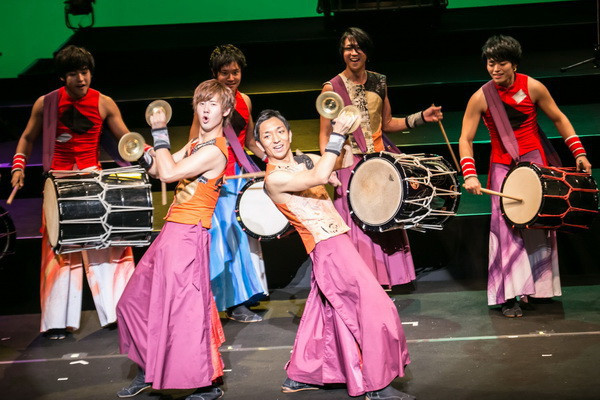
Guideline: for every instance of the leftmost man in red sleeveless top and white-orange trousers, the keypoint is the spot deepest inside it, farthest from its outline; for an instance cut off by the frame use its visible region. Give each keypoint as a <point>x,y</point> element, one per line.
<point>71,119</point>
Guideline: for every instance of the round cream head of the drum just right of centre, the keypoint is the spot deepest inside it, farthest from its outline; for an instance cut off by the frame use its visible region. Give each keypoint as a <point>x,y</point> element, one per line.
<point>376,191</point>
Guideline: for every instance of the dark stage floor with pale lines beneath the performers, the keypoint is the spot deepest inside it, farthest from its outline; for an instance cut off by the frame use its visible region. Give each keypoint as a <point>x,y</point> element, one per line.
<point>460,349</point>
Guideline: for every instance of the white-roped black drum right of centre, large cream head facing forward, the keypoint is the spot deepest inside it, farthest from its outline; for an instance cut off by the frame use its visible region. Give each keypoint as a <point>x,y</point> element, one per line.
<point>410,191</point>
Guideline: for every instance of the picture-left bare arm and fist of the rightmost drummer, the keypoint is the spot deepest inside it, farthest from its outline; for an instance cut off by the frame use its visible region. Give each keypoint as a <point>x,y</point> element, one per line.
<point>475,107</point>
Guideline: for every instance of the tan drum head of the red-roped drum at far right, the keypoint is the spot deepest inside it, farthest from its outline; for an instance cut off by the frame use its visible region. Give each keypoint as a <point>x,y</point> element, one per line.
<point>523,182</point>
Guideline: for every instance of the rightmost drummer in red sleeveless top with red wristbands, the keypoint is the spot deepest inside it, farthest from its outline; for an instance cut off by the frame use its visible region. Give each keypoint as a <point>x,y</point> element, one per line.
<point>521,263</point>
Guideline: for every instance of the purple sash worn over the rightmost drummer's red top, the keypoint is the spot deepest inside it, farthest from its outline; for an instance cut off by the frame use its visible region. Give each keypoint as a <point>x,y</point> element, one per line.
<point>507,135</point>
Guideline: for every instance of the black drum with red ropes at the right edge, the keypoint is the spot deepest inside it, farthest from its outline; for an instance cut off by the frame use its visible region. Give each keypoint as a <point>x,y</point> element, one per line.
<point>553,198</point>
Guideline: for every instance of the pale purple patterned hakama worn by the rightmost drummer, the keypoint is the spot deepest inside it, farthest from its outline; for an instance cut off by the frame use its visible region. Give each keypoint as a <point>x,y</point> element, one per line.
<point>522,262</point>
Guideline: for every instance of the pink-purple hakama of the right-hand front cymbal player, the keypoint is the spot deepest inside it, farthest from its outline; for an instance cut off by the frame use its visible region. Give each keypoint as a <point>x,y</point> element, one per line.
<point>350,330</point>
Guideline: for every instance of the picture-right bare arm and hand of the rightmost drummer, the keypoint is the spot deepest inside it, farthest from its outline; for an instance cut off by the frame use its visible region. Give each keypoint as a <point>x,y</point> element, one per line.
<point>542,98</point>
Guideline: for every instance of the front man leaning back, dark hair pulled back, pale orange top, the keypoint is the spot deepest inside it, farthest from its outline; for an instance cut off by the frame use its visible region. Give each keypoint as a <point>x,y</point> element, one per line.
<point>350,331</point>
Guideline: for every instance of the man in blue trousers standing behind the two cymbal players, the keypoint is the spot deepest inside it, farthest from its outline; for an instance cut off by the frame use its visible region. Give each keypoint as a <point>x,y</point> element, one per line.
<point>237,270</point>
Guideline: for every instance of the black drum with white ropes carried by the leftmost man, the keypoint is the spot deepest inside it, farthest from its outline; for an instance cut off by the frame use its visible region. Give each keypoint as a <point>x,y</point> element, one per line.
<point>98,209</point>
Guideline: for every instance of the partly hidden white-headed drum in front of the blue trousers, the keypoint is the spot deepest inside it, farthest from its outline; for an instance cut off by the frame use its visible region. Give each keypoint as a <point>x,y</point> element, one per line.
<point>258,215</point>
